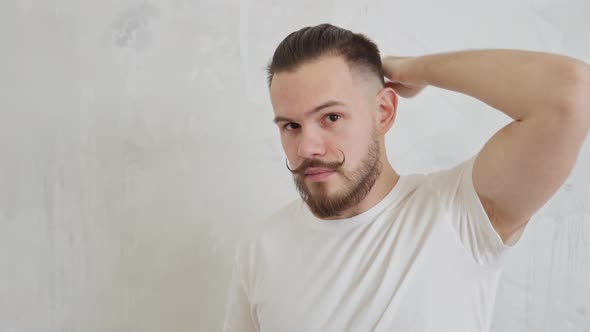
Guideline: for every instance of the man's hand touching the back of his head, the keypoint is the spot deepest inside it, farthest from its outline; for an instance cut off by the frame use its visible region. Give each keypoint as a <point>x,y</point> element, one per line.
<point>397,71</point>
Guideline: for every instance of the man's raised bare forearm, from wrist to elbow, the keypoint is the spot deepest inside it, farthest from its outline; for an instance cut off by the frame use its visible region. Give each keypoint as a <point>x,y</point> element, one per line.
<point>519,83</point>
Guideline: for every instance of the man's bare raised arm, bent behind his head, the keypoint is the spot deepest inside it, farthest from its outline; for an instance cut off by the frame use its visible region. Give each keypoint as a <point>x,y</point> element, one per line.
<point>547,95</point>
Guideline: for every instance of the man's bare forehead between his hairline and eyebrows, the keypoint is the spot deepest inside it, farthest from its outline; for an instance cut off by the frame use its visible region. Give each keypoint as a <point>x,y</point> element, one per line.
<point>328,78</point>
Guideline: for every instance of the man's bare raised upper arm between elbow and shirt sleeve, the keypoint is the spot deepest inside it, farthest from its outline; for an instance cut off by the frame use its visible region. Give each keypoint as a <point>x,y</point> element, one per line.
<point>523,165</point>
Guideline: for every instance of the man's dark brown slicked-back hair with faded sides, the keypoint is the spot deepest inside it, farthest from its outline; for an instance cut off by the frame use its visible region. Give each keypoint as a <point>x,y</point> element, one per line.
<point>310,43</point>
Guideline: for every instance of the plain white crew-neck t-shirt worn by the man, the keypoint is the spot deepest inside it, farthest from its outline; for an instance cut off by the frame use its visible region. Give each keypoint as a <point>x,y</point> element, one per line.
<point>425,258</point>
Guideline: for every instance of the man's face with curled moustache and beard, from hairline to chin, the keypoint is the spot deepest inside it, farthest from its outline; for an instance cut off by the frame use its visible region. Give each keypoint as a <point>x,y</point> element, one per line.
<point>327,121</point>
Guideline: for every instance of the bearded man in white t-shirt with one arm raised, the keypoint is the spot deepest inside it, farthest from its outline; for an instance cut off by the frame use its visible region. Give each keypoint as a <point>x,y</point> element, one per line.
<point>369,250</point>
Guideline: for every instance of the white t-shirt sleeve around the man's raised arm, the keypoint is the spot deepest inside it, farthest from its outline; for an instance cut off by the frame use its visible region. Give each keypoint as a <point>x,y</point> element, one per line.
<point>456,193</point>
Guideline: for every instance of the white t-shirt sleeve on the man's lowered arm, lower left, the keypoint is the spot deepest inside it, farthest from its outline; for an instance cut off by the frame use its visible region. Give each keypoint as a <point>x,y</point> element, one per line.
<point>239,315</point>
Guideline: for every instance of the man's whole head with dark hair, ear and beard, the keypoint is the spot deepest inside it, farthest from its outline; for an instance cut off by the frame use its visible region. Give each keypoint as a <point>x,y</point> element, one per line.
<point>333,109</point>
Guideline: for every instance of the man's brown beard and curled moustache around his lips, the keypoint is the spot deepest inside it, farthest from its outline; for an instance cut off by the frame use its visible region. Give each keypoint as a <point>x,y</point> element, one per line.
<point>357,184</point>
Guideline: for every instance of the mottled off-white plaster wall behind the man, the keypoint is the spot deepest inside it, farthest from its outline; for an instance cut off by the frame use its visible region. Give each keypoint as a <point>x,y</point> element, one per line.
<point>136,143</point>
